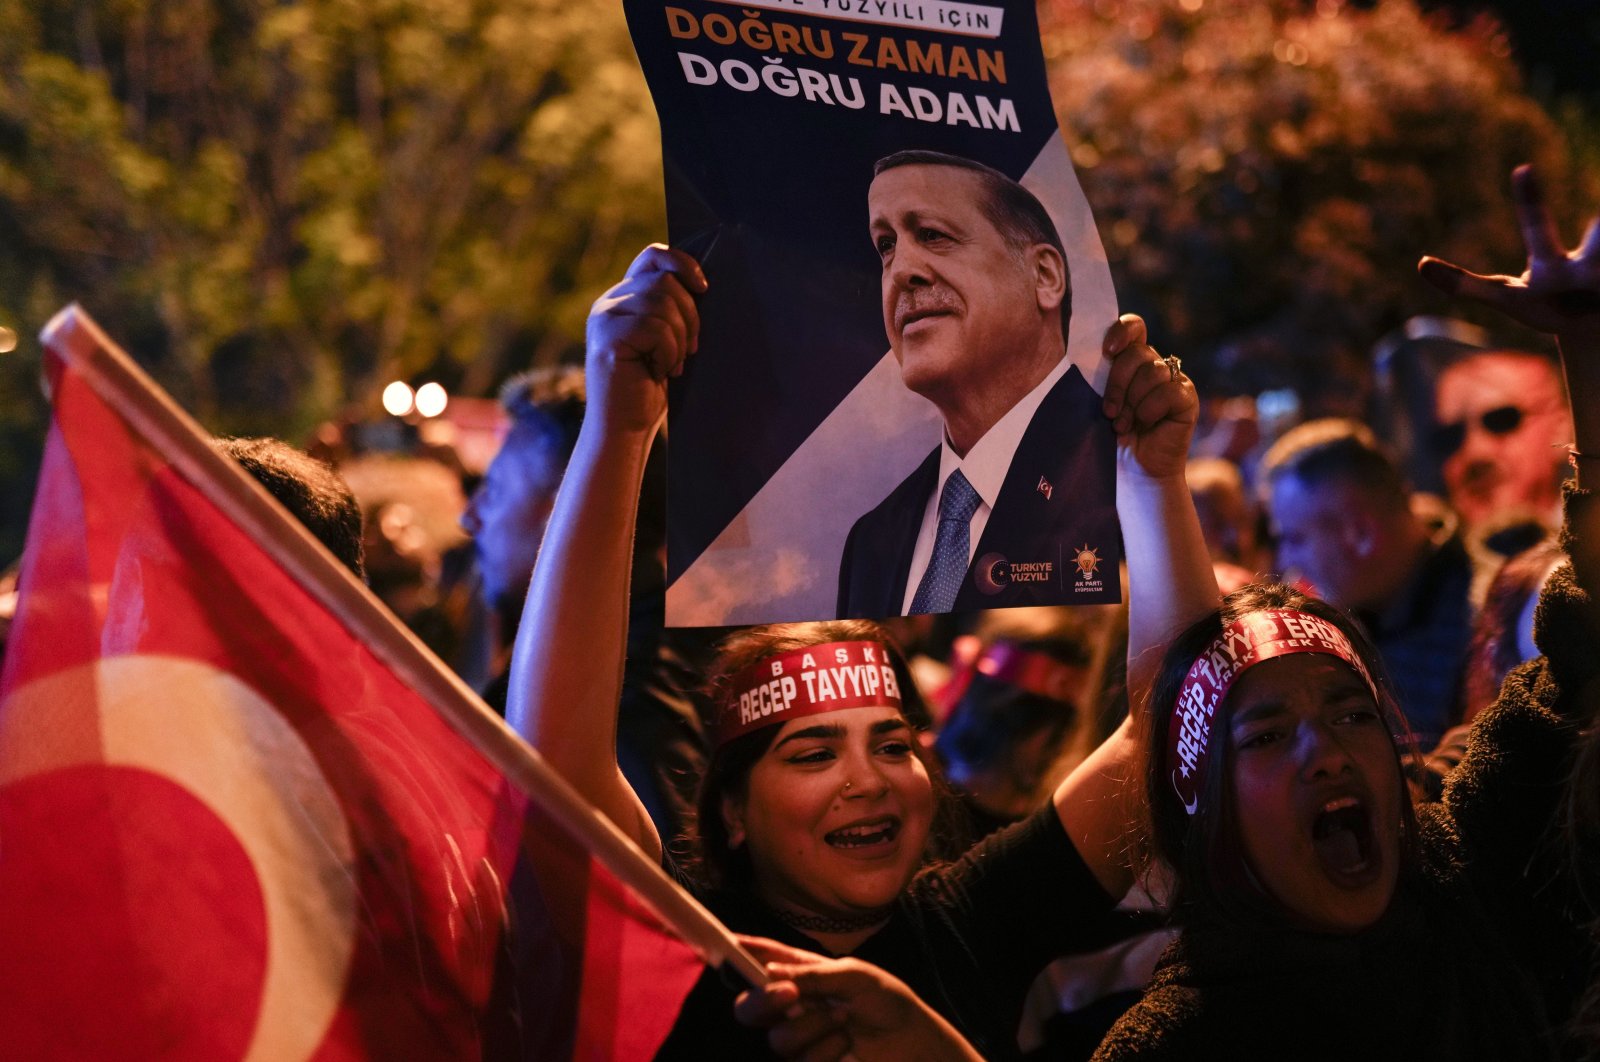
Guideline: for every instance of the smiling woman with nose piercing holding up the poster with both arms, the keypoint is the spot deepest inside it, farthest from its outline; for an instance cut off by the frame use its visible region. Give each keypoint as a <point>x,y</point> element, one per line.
<point>818,813</point>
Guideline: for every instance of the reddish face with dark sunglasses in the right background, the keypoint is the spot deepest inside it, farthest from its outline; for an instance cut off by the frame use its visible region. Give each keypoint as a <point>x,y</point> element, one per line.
<point>1502,439</point>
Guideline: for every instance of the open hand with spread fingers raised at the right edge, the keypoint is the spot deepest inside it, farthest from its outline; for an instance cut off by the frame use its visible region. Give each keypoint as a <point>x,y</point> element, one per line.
<point>1558,293</point>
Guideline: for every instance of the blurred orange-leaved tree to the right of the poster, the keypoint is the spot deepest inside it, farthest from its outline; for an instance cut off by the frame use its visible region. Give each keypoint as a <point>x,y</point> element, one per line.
<point>1266,174</point>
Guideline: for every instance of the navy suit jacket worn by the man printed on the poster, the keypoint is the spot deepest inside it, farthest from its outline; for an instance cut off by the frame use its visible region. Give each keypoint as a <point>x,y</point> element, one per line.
<point>1058,498</point>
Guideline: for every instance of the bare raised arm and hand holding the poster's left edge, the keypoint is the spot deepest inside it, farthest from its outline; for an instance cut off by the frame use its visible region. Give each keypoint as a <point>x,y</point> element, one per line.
<point>572,644</point>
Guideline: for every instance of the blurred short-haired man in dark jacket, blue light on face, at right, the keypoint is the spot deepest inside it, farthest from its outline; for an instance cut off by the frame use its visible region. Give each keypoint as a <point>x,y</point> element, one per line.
<point>1343,522</point>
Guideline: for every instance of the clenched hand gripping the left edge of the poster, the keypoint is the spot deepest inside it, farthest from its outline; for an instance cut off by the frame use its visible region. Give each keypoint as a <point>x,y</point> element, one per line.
<point>641,333</point>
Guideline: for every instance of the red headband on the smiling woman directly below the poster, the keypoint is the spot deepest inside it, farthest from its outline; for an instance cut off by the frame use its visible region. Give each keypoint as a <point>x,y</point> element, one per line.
<point>807,682</point>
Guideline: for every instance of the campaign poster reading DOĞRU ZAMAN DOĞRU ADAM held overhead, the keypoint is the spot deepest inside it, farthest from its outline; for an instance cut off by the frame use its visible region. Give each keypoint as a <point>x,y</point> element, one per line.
<point>895,407</point>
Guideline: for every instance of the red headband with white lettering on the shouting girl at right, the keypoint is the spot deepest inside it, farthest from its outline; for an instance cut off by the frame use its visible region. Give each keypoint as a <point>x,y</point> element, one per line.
<point>1244,644</point>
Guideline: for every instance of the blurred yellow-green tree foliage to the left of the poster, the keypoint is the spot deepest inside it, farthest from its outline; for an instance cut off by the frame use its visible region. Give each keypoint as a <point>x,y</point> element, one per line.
<point>282,206</point>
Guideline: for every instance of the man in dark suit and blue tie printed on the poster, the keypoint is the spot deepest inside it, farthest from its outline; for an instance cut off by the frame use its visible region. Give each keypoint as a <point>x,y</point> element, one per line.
<point>977,301</point>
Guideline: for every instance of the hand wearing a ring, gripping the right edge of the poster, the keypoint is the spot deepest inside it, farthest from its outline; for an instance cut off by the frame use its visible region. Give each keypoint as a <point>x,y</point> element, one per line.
<point>1153,405</point>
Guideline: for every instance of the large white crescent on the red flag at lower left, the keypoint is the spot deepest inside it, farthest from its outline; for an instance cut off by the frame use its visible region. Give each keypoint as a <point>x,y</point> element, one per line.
<point>220,741</point>
